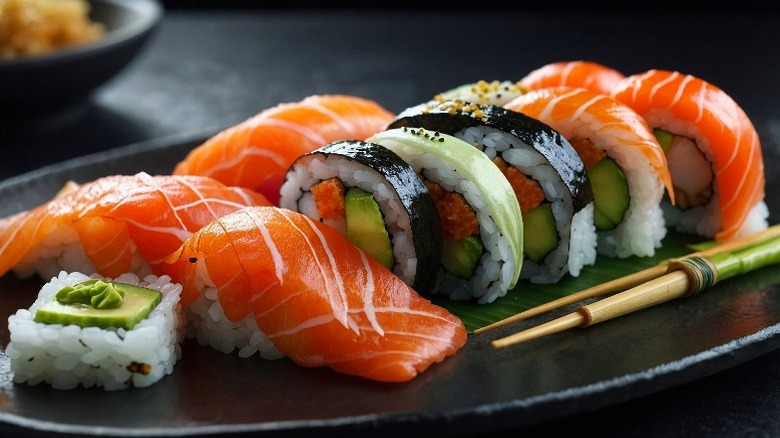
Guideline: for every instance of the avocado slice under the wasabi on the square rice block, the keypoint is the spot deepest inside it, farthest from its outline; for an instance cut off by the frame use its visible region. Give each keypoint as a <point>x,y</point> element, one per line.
<point>136,305</point>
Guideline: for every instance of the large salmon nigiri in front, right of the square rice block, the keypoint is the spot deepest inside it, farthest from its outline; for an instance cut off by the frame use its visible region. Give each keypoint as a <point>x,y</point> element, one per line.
<point>316,297</point>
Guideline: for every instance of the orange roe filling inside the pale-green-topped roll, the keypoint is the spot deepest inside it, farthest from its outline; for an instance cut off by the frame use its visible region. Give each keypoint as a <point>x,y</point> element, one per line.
<point>458,219</point>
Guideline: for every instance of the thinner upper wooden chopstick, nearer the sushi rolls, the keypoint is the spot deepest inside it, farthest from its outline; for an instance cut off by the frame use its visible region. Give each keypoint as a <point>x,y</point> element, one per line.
<point>626,282</point>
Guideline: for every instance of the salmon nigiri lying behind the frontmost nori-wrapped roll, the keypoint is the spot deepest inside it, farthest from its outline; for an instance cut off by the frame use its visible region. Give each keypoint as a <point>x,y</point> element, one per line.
<point>257,152</point>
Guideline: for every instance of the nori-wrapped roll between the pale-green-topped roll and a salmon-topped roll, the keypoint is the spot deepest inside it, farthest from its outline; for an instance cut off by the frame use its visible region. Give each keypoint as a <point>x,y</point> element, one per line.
<point>546,175</point>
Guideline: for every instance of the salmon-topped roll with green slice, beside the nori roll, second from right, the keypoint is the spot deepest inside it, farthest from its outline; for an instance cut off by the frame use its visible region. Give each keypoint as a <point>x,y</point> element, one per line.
<point>625,163</point>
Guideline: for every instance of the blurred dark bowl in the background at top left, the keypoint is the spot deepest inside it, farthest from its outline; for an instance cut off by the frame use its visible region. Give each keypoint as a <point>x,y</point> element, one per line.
<point>46,82</point>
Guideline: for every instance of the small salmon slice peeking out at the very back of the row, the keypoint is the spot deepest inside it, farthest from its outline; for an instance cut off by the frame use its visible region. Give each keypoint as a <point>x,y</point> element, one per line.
<point>584,74</point>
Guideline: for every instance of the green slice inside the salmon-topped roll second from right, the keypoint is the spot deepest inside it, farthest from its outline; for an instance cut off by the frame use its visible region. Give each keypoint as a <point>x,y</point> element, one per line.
<point>610,193</point>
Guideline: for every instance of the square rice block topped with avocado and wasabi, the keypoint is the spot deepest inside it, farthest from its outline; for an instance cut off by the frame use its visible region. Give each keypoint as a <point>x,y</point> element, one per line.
<point>94,332</point>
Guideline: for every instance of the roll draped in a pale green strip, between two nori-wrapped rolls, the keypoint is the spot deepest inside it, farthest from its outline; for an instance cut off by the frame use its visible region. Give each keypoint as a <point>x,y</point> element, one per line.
<point>482,228</point>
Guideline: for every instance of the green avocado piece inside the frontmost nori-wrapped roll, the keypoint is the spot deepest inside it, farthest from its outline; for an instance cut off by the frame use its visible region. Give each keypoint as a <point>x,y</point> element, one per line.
<point>366,226</point>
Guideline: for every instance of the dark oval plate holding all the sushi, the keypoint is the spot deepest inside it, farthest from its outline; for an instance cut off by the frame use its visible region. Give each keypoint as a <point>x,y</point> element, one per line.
<point>477,391</point>
